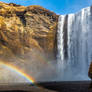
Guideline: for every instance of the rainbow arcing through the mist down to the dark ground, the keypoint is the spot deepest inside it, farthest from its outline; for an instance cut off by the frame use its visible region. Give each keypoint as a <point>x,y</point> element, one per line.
<point>19,71</point>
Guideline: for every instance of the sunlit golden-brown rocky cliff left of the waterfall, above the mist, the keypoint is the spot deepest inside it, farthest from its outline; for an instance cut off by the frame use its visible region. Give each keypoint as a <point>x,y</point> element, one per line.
<point>27,29</point>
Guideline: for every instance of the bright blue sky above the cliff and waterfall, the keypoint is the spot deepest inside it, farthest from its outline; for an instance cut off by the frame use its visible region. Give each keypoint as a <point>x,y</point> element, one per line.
<point>57,6</point>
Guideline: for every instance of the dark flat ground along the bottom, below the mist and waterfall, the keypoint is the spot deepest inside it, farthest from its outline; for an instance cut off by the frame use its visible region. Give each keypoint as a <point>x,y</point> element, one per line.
<point>73,86</point>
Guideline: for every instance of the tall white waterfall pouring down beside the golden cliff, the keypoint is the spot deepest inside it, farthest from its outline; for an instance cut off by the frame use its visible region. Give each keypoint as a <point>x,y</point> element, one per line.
<point>75,45</point>
